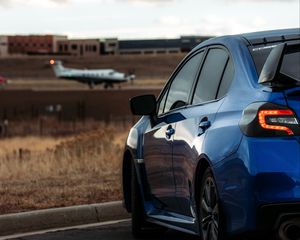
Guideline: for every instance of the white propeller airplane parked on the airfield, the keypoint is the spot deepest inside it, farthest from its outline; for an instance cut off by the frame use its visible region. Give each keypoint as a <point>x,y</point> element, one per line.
<point>92,77</point>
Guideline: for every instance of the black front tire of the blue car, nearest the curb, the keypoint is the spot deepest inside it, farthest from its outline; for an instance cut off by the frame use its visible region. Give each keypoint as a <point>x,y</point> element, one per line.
<point>138,222</point>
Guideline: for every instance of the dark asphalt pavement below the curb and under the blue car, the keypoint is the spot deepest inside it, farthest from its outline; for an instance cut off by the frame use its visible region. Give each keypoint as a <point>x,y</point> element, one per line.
<point>112,230</point>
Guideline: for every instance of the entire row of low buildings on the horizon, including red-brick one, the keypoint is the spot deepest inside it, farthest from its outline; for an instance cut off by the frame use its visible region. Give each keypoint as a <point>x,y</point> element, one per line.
<point>23,45</point>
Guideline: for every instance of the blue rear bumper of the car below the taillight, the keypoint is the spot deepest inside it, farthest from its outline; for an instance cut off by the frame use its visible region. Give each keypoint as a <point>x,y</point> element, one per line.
<point>259,185</point>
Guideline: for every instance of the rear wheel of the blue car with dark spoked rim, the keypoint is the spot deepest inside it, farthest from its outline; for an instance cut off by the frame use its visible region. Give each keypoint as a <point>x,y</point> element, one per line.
<point>211,222</point>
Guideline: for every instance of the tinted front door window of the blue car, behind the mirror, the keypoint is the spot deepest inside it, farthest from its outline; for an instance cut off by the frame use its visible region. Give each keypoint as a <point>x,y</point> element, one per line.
<point>182,84</point>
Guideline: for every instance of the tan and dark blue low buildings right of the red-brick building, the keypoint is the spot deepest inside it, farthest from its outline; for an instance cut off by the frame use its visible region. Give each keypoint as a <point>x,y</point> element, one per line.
<point>113,46</point>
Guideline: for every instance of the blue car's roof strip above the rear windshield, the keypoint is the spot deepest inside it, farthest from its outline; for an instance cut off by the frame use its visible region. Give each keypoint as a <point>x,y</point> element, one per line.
<point>265,37</point>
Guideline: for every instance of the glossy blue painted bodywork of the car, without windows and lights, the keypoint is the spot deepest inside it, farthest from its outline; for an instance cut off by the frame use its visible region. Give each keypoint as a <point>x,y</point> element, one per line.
<point>250,172</point>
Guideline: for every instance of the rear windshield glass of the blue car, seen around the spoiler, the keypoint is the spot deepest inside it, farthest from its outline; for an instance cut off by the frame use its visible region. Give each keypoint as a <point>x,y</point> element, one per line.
<point>290,65</point>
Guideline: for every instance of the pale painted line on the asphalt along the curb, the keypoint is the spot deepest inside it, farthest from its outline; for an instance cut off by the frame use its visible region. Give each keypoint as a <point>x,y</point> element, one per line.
<point>20,235</point>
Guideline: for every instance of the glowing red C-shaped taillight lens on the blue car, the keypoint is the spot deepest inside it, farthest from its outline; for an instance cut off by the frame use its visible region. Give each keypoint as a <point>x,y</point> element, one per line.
<point>275,119</point>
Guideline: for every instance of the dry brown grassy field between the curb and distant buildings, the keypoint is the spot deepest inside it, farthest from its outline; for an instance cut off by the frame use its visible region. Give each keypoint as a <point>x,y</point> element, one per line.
<point>55,159</point>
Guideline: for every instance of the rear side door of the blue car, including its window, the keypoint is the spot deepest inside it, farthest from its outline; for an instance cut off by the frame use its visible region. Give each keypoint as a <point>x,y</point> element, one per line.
<point>189,137</point>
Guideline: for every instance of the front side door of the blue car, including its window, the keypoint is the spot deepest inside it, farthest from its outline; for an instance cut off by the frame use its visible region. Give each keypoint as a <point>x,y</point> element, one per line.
<point>158,138</point>
